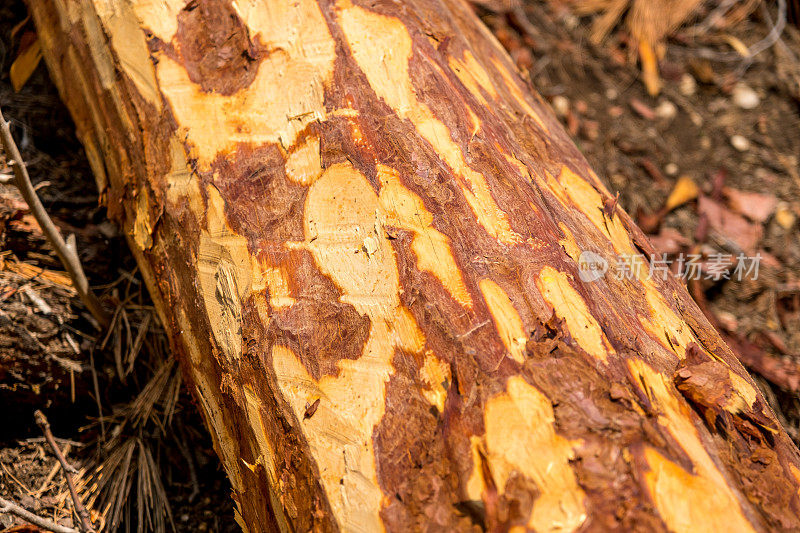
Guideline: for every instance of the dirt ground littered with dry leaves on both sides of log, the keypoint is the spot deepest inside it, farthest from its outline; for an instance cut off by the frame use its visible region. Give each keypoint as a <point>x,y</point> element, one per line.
<point>720,145</point>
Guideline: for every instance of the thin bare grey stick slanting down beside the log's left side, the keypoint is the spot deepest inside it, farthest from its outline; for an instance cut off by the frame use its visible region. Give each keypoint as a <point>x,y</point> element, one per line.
<point>67,256</point>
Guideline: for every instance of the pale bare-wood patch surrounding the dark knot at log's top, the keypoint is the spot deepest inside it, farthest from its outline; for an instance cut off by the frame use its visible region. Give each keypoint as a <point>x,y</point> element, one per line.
<point>284,96</point>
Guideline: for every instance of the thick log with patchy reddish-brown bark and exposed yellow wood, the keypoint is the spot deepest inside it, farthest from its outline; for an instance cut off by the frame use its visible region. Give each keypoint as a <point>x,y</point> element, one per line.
<point>362,230</point>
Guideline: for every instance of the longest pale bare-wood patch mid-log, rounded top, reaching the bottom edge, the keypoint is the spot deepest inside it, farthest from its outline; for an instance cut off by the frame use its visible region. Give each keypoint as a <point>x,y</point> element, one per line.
<point>340,212</point>
